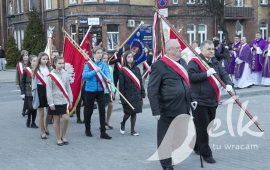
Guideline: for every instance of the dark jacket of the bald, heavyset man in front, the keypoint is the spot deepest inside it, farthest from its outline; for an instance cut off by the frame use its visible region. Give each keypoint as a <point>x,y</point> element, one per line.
<point>168,92</point>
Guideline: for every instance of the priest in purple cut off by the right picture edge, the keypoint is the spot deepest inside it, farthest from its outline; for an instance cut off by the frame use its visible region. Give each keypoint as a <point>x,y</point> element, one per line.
<point>266,67</point>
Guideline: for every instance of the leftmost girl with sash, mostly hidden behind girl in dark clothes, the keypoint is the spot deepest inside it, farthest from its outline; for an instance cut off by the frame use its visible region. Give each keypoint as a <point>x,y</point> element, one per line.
<point>23,61</point>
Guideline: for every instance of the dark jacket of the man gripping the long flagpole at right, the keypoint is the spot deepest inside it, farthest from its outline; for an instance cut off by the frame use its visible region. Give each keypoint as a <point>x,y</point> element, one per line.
<point>201,89</point>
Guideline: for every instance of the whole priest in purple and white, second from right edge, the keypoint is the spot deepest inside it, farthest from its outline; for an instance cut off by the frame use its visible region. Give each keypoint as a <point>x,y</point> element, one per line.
<point>258,46</point>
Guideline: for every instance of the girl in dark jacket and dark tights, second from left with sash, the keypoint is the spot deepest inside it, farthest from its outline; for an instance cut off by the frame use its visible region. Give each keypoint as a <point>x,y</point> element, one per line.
<point>26,91</point>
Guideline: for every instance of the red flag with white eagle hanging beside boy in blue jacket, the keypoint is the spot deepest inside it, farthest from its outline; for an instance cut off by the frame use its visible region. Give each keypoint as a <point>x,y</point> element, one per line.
<point>74,62</point>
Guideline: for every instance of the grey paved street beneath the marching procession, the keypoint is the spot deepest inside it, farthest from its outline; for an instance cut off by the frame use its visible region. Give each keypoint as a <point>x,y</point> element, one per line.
<point>22,147</point>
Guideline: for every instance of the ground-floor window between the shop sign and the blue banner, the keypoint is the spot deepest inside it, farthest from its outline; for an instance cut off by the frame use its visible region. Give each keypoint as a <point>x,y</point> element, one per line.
<point>112,36</point>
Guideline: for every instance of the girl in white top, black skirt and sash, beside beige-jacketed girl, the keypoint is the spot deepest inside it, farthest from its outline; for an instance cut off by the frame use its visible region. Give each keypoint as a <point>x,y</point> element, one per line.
<point>40,75</point>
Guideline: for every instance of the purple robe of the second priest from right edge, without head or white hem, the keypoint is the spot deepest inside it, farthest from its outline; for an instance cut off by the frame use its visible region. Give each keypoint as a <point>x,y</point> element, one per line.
<point>257,55</point>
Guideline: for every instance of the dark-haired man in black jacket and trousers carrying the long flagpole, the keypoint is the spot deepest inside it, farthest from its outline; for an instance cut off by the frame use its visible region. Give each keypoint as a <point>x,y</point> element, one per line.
<point>206,92</point>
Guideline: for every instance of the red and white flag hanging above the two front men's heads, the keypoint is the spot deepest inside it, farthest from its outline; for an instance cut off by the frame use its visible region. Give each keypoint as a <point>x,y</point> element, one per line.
<point>168,33</point>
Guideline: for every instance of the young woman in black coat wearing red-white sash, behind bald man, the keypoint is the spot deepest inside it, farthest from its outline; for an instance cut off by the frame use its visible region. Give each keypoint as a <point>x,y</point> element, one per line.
<point>133,92</point>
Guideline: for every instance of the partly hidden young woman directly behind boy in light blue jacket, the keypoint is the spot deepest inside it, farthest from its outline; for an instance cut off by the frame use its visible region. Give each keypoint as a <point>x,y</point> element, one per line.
<point>109,93</point>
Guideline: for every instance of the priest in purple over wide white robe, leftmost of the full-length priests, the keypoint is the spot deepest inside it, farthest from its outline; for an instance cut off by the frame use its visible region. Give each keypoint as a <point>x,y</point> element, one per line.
<point>242,74</point>
